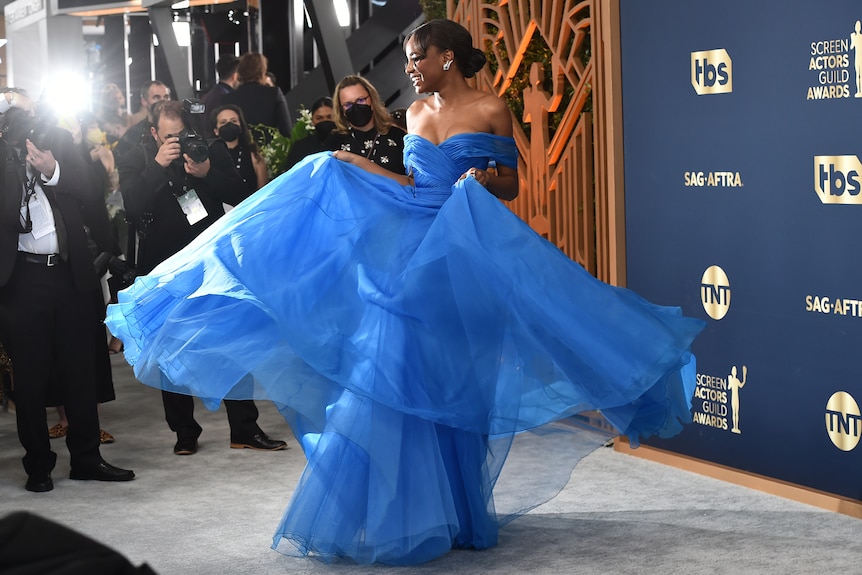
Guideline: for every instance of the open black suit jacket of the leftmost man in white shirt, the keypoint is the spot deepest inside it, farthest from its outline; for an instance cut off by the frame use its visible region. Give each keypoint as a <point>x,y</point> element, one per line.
<point>67,197</point>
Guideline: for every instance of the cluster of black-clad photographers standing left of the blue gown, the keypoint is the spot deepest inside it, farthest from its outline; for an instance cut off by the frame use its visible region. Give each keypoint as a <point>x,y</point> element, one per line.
<point>62,258</point>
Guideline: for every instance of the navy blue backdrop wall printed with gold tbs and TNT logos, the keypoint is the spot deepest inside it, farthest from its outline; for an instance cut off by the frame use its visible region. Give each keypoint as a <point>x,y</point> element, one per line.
<point>743,139</point>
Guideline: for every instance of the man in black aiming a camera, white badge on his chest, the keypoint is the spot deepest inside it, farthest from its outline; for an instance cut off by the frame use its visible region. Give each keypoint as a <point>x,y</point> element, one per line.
<point>174,186</point>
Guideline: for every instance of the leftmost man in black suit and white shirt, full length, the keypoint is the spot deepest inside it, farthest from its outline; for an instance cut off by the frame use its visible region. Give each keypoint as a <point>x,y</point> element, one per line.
<point>47,284</point>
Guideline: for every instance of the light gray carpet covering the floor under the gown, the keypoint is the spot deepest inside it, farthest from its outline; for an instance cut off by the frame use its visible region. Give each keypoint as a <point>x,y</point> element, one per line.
<point>214,512</point>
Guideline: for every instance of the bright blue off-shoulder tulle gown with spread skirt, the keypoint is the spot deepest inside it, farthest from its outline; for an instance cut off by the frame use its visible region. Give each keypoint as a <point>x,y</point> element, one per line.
<point>413,337</point>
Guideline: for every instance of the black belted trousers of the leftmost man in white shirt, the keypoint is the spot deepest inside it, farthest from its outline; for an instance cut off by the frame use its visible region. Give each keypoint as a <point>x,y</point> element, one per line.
<point>47,327</point>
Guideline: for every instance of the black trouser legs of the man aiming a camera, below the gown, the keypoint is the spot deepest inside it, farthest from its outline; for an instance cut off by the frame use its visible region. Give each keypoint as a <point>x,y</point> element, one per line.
<point>180,415</point>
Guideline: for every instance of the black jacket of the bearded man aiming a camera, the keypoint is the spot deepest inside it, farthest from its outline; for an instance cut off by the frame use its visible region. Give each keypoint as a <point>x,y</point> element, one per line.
<point>150,198</point>
